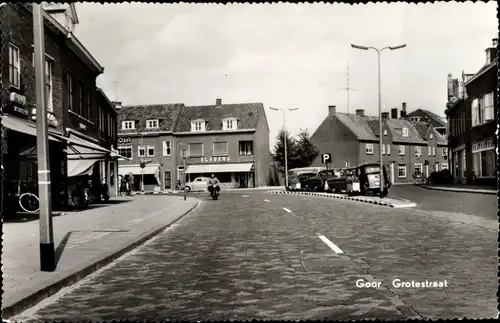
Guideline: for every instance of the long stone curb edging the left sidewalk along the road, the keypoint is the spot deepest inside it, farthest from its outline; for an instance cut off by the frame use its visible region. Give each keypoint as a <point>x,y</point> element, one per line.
<point>33,299</point>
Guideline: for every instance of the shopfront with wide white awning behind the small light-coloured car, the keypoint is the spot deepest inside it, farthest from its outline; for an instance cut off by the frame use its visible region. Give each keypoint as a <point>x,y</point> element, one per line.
<point>231,175</point>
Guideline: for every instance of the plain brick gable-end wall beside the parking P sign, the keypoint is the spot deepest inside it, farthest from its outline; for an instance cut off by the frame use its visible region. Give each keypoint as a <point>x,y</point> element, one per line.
<point>333,137</point>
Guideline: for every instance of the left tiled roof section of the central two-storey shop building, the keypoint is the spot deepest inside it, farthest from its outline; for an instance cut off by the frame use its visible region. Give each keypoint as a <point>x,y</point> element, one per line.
<point>167,115</point>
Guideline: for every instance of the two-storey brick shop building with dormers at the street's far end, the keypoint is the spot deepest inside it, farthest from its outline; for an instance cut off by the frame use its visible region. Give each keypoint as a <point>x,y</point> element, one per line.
<point>228,140</point>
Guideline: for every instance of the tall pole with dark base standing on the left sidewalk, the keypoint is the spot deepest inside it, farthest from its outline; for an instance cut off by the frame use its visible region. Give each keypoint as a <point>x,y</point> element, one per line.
<point>47,252</point>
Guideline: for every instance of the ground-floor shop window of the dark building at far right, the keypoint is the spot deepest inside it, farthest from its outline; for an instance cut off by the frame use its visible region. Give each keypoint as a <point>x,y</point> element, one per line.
<point>484,161</point>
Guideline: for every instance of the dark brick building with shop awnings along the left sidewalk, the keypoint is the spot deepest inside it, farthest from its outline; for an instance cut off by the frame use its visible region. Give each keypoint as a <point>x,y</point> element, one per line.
<point>72,147</point>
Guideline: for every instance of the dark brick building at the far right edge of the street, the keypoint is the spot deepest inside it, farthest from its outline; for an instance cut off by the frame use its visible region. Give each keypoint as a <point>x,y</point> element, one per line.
<point>472,114</point>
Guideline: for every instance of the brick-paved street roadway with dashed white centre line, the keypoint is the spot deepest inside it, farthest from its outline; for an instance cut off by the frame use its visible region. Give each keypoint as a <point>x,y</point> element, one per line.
<point>254,255</point>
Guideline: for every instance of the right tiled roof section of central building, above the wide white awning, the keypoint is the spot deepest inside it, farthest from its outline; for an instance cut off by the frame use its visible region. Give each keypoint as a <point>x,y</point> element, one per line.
<point>247,115</point>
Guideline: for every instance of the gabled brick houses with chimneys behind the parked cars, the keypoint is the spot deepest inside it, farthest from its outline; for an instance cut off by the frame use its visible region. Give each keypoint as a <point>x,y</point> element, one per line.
<point>353,139</point>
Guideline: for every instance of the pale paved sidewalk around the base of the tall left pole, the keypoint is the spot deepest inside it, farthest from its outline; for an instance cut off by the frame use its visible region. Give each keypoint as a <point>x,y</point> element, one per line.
<point>85,241</point>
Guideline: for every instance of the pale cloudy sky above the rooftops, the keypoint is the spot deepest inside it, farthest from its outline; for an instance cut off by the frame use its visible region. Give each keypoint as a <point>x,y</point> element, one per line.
<point>286,55</point>
